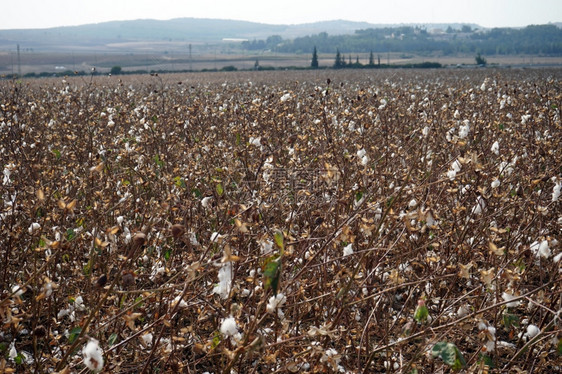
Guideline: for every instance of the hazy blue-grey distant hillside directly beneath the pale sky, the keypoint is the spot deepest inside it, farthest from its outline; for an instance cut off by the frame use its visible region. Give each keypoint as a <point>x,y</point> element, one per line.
<point>180,30</point>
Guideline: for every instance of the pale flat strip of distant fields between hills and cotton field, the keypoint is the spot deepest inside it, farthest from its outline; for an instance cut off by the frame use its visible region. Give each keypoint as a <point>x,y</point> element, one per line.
<point>105,60</point>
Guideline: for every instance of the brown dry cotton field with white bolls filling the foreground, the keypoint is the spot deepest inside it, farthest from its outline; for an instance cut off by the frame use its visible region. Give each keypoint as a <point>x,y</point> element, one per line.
<point>314,221</point>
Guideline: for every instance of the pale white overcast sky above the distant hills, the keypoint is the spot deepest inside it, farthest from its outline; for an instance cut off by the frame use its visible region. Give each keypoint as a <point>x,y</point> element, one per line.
<point>21,14</point>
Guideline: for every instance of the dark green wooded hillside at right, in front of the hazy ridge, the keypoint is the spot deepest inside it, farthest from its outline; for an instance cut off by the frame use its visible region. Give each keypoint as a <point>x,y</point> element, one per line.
<point>544,39</point>
